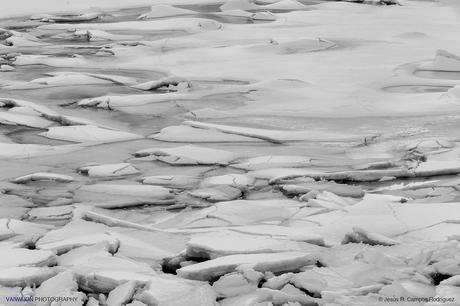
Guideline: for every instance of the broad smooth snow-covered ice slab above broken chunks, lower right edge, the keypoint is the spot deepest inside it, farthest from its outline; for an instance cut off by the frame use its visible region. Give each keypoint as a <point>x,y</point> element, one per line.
<point>387,216</point>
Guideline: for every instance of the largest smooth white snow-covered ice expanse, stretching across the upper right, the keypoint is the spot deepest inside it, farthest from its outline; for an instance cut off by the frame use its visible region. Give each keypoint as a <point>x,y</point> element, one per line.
<point>355,71</point>
